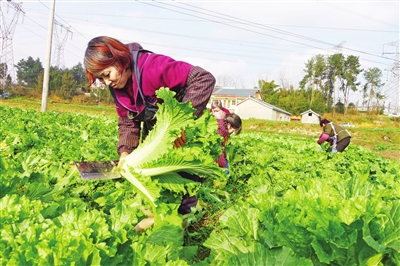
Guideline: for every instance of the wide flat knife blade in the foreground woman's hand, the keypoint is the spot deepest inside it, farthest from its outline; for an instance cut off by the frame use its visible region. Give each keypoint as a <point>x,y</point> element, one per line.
<point>98,170</point>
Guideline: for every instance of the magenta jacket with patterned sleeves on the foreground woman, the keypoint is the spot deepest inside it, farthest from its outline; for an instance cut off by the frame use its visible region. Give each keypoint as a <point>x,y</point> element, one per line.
<point>158,71</point>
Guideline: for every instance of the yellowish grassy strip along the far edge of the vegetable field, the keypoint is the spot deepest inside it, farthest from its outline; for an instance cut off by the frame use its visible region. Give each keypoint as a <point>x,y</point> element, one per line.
<point>380,134</point>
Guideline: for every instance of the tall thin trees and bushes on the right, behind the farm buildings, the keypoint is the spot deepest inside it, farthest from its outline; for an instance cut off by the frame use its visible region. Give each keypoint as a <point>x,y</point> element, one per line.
<point>326,76</point>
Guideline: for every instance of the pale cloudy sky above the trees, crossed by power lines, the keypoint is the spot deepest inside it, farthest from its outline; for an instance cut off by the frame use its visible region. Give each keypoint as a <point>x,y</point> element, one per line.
<point>240,42</point>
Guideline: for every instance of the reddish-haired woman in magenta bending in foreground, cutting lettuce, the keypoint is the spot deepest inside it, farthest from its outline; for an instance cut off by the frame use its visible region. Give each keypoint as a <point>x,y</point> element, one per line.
<point>113,63</point>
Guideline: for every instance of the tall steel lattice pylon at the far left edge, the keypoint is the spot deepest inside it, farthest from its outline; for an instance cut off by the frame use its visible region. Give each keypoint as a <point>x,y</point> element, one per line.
<point>7,29</point>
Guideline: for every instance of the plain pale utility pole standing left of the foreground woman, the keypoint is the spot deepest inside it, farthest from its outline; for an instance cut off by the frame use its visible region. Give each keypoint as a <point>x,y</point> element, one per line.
<point>46,77</point>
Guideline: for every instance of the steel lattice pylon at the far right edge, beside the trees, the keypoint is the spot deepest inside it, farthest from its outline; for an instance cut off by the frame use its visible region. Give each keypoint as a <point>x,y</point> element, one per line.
<point>394,84</point>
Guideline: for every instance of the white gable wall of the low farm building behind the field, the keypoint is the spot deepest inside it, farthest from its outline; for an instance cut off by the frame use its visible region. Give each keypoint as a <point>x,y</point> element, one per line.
<point>251,109</point>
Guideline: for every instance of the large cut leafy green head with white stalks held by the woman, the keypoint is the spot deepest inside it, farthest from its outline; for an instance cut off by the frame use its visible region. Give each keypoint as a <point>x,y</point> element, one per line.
<point>156,158</point>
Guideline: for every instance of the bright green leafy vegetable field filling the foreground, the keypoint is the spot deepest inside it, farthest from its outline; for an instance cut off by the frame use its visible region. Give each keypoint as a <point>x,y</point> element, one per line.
<point>284,202</point>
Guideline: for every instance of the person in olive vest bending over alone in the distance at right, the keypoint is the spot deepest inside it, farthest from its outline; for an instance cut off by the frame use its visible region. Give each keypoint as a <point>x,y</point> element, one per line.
<point>337,136</point>
